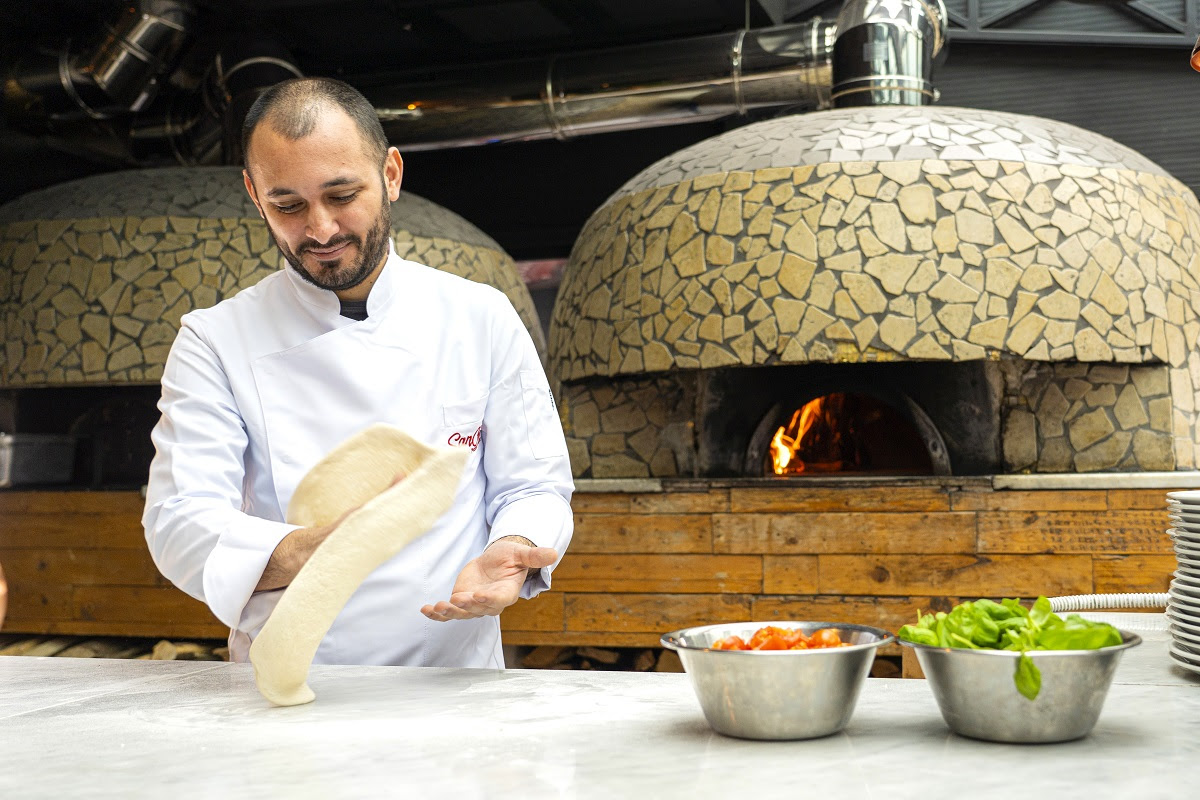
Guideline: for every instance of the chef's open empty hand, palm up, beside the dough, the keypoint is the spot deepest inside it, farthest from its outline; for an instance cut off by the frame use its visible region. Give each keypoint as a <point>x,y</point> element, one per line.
<point>493,582</point>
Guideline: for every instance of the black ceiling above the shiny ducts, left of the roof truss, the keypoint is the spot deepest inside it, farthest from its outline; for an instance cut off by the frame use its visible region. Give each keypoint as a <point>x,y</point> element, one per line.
<point>352,37</point>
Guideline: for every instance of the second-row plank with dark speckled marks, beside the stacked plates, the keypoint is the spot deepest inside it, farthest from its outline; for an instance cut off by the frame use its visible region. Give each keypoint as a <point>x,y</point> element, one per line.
<point>1070,532</point>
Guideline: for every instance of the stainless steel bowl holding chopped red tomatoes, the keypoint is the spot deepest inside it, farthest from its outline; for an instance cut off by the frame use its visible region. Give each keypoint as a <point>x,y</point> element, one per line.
<point>777,694</point>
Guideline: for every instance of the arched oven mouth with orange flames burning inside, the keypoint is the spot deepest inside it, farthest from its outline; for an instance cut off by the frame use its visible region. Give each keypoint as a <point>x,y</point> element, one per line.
<point>848,434</point>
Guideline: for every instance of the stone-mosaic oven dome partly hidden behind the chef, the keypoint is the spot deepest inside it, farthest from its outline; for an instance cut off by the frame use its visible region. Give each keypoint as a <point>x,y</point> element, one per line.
<point>97,274</point>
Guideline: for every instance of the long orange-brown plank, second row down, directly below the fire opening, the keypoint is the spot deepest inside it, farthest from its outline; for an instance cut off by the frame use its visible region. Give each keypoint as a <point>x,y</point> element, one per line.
<point>845,533</point>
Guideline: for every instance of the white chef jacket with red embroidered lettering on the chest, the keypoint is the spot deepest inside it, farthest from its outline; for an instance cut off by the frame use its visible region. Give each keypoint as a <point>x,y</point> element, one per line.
<point>260,388</point>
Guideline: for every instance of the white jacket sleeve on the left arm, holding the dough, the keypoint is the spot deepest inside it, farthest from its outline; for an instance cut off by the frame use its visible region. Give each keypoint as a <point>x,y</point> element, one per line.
<point>197,532</point>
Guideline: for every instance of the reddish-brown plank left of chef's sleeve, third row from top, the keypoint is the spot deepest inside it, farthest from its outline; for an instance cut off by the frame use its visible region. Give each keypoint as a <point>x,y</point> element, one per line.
<point>79,567</point>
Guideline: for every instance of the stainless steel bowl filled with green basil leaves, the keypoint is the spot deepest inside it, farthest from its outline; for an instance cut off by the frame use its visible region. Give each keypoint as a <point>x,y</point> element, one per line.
<point>979,699</point>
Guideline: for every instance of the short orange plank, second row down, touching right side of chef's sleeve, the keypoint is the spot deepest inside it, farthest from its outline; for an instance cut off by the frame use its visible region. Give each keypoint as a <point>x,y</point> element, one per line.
<point>613,533</point>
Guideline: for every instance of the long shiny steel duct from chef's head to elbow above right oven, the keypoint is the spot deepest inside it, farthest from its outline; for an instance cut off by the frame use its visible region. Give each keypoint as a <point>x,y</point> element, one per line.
<point>879,52</point>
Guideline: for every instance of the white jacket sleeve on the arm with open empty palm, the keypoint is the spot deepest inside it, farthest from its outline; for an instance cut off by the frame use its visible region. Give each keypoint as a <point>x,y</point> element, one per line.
<point>529,474</point>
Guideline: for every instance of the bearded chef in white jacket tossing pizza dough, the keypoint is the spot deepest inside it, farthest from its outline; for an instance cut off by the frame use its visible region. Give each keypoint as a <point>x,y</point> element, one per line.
<point>260,388</point>
